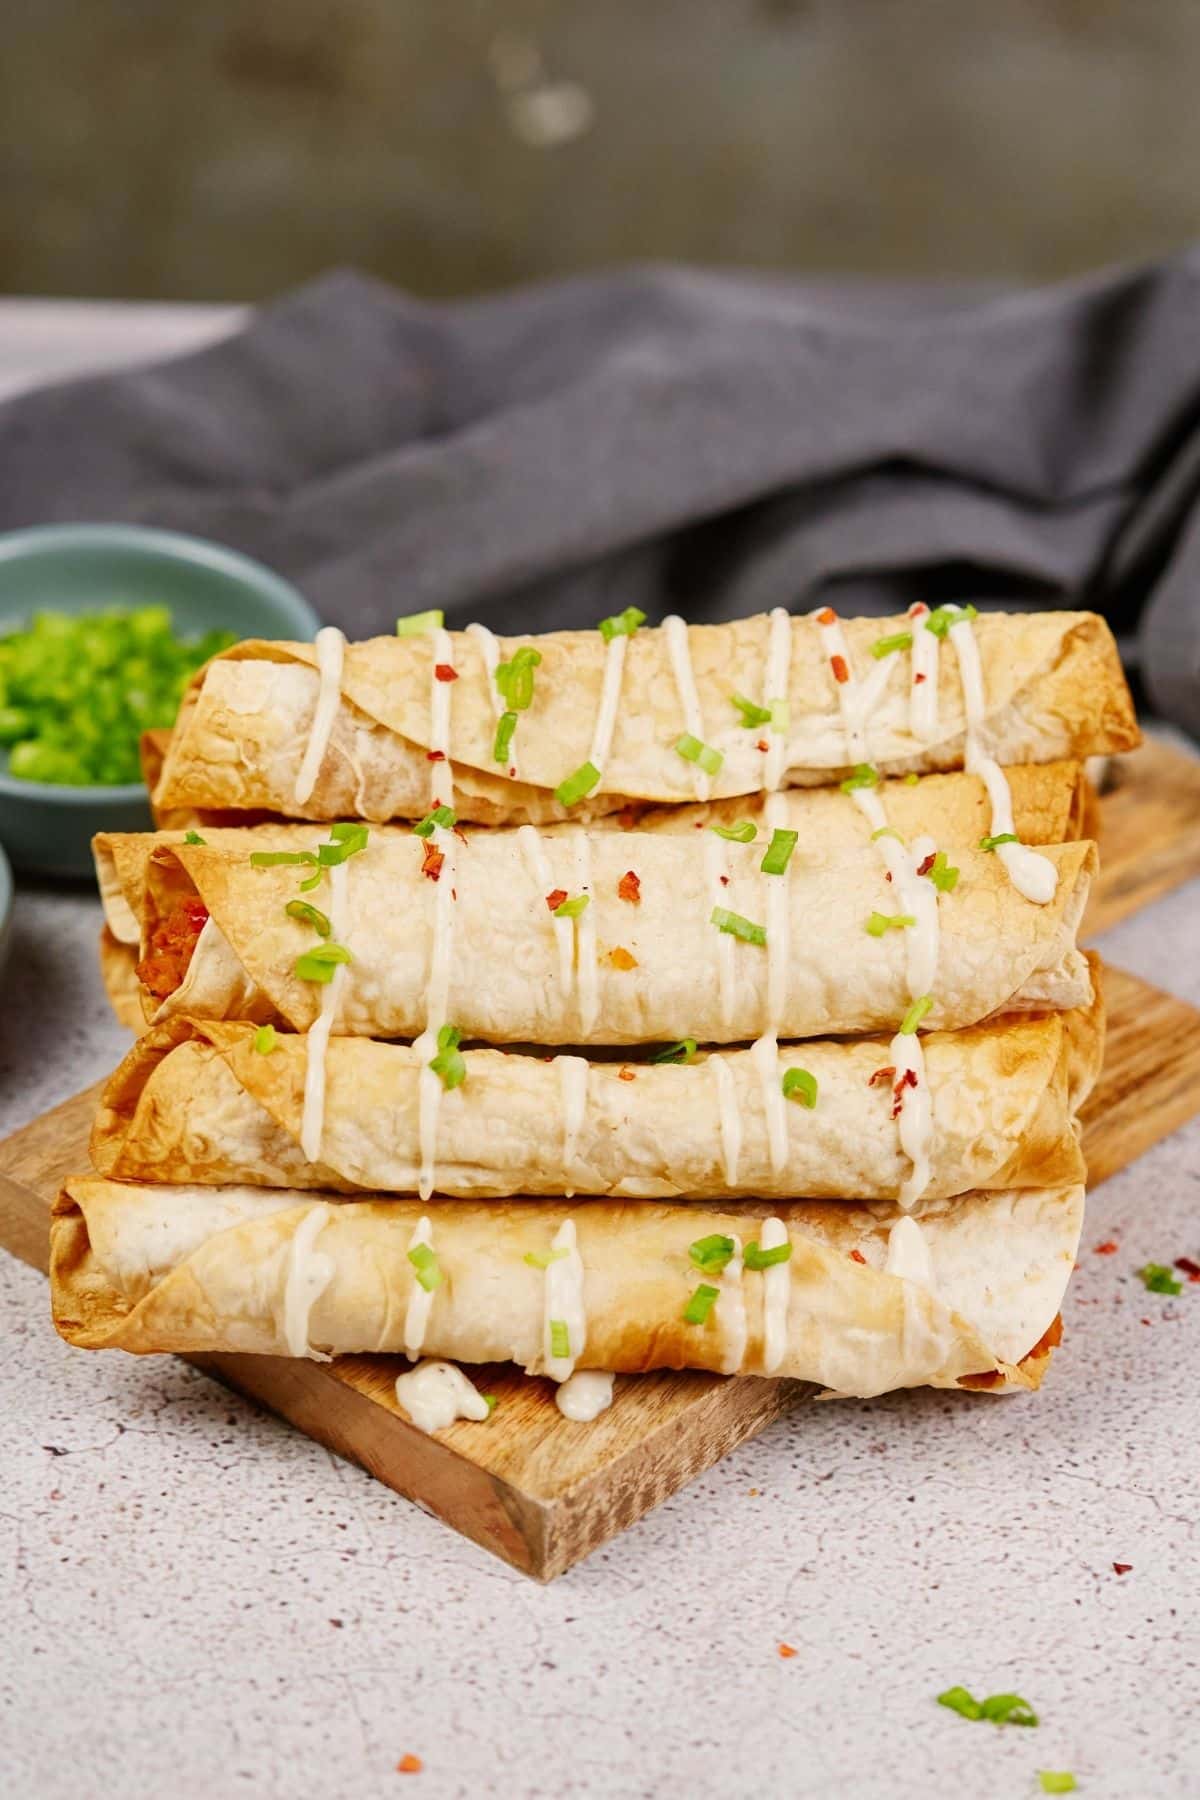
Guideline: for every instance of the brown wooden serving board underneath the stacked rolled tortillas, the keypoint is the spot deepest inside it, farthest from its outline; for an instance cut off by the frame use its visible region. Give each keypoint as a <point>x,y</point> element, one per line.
<point>542,1493</point>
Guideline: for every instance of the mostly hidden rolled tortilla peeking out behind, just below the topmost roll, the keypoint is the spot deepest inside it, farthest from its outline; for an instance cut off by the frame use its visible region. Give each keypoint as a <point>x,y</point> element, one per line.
<point>1050,807</point>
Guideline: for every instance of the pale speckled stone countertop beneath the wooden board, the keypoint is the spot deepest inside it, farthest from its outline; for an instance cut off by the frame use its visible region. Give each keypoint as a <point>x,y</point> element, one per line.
<point>199,1601</point>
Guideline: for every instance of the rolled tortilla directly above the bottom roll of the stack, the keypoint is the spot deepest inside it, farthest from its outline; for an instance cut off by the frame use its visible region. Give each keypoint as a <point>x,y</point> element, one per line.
<point>201,1104</point>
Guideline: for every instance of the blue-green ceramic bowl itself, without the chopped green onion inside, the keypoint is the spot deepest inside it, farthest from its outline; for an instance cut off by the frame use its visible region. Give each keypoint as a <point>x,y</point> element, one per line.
<point>94,570</point>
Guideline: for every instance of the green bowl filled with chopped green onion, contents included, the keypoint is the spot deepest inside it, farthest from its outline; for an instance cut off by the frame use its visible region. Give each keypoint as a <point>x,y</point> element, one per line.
<point>102,629</point>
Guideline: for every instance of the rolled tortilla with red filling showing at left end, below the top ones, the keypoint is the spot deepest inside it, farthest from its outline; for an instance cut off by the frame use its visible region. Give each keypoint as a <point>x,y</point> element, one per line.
<point>625,971</point>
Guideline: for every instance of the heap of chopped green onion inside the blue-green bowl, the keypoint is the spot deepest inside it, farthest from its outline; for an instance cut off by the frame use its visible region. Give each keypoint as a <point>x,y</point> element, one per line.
<point>78,690</point>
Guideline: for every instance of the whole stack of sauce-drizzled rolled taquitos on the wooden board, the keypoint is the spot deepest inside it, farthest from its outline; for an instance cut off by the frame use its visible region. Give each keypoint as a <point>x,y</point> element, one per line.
<point>906,1203</point>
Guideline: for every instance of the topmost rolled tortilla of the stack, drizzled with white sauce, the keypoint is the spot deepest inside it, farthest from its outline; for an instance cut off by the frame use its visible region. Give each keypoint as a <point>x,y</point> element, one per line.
<point>1053,688</point>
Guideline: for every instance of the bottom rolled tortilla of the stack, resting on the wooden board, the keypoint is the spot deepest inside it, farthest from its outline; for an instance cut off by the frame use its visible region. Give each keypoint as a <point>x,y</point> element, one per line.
<point>282,1273</point>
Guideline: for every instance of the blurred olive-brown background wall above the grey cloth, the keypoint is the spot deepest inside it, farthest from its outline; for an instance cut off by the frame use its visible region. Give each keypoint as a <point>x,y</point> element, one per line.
<point>154,148</point>
